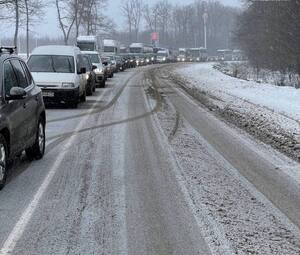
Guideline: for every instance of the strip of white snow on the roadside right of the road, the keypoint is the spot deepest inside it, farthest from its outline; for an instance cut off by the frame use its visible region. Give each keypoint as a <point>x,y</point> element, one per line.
<point>284,100</point>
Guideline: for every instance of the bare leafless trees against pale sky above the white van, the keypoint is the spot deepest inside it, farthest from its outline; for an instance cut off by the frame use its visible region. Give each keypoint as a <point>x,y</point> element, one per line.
<point>73,16</point>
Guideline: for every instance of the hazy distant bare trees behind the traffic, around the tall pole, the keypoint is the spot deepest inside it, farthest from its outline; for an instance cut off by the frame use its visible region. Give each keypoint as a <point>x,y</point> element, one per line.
<point>180,25</point>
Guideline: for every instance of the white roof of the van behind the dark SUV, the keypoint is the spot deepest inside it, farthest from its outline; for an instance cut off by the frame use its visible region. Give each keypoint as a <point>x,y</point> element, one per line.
<point>56,50</point>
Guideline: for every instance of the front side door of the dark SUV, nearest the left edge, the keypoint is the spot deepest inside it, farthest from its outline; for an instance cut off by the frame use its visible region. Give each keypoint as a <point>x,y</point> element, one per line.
<point>14,110</point>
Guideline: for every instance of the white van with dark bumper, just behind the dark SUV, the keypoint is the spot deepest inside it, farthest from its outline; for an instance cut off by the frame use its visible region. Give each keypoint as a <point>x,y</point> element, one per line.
<point>58,71</point>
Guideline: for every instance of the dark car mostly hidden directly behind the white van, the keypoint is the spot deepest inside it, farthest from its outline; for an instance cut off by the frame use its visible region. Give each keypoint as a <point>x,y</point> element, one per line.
<point>90,75</point>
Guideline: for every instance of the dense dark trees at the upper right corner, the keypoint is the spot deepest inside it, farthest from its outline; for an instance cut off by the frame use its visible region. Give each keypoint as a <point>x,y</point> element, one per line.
<point>269,33</point>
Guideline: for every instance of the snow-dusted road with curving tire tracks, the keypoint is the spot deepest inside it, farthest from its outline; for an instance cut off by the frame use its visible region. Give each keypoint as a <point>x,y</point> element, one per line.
<point>143,168</point>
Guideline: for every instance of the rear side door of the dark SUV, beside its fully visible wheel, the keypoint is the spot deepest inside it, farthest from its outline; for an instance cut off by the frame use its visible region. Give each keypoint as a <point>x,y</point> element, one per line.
<point>29,103</point>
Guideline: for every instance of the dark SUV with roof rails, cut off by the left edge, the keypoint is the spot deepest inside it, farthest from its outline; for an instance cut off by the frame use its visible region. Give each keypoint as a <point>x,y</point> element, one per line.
<point>22,112</point>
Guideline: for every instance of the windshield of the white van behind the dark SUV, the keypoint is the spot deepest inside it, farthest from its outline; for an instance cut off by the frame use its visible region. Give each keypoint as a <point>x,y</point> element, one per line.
<point>51,64</point>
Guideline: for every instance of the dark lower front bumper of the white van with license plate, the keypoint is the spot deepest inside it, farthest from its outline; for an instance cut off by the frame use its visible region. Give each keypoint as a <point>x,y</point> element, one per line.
<point>60,95</point>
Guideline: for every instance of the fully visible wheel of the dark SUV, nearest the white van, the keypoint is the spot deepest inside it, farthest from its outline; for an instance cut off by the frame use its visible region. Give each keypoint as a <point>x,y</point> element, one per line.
<point>37,150</point>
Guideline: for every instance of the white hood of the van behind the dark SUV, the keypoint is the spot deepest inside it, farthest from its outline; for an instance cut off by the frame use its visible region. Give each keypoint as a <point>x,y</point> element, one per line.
<point>53,79</point>
